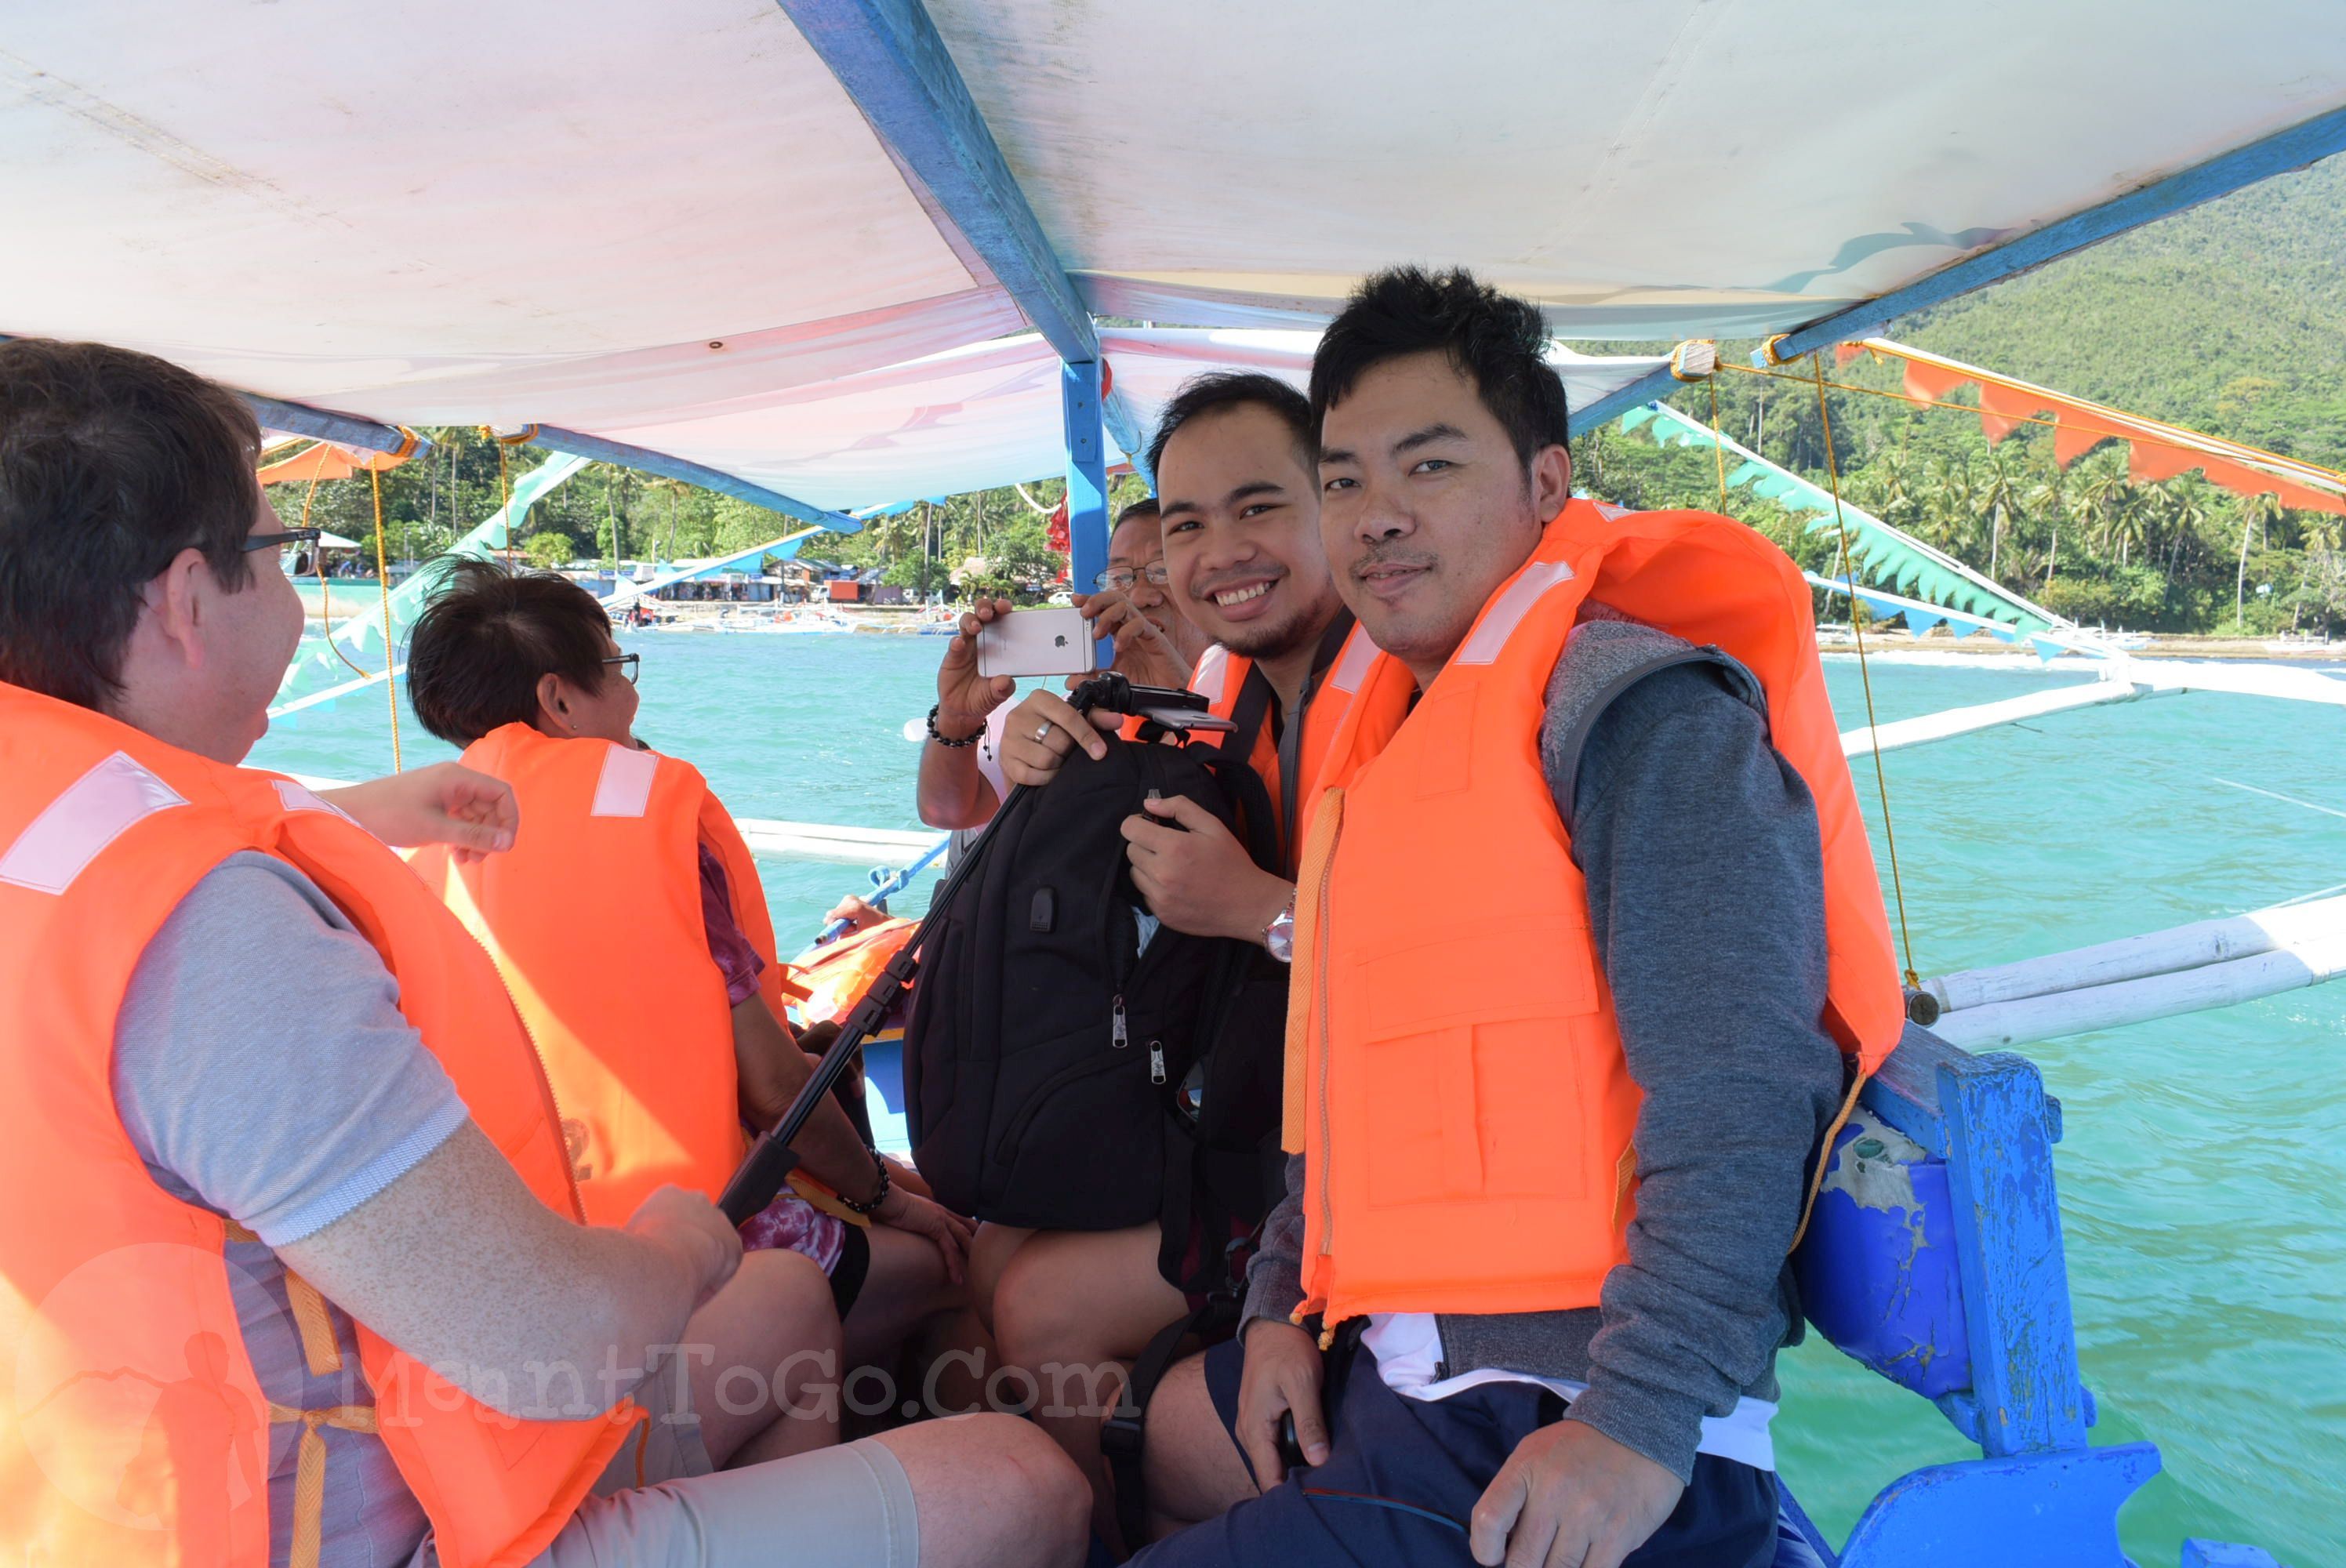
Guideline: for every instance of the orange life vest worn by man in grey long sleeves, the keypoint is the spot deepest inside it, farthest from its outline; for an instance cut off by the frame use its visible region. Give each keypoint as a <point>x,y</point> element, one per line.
<point>1470,1144</point>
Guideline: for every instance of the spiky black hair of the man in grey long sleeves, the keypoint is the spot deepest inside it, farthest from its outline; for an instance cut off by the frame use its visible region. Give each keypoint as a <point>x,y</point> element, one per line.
<point>1496,339</point>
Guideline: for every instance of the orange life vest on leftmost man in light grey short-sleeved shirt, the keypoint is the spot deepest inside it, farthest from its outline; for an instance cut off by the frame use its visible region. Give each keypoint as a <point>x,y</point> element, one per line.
<point>137,1431</point>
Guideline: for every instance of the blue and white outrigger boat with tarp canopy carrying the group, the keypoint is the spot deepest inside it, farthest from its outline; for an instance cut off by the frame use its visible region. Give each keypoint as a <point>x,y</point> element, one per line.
<point>836,255</point>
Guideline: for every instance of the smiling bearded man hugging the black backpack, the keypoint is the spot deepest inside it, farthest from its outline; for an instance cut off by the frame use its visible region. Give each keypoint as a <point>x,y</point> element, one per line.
<point>1245,567</point>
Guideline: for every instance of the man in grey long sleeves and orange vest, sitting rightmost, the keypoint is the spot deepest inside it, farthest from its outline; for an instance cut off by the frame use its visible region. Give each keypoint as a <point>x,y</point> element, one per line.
<point>1589,924</point>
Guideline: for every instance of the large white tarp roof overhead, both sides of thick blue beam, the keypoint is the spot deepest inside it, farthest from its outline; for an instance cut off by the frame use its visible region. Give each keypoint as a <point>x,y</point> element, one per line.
<point>635,219</point>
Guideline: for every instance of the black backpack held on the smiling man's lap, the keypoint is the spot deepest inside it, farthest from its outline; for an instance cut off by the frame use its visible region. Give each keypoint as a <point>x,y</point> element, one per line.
<point>1064,1076</point>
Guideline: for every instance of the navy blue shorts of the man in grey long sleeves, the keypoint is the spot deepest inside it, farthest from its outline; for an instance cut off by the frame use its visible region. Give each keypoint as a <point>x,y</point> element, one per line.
<point>1404,1478</point>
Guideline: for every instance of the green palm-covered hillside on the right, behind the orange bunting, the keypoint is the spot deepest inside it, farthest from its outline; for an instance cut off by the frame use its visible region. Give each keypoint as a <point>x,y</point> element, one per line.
<point>2228,318</point>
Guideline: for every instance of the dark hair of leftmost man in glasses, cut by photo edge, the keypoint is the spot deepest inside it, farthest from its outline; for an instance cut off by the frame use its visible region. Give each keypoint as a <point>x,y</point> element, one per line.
<point>111,464</point>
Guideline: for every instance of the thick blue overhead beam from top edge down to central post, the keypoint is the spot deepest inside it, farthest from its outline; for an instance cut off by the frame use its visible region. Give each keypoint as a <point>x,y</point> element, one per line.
<point>897,69</point>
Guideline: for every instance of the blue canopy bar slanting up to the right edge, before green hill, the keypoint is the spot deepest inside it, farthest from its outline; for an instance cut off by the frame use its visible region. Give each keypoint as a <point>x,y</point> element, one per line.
<point>2218,177</point>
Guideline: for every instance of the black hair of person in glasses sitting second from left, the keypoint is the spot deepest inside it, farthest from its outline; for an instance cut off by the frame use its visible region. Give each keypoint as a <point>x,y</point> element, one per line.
<point>489,637</point>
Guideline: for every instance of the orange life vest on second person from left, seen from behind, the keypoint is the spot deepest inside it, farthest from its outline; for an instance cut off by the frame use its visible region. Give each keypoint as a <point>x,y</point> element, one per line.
<point>595,919</point>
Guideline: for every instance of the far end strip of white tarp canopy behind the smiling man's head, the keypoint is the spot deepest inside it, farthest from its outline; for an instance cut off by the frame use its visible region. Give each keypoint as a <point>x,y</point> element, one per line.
<point>989,414</point>
